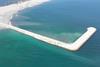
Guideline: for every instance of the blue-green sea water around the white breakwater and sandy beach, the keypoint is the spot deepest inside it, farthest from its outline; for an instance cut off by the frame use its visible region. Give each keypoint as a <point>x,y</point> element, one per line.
<point>64,20</point>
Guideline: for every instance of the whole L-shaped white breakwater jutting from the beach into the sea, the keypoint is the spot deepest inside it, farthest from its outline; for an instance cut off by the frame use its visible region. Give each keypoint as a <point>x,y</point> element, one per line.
<point>73,47</point>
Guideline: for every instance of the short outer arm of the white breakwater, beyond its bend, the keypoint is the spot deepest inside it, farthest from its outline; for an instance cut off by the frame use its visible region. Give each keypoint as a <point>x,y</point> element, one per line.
<point>84,38</point>
